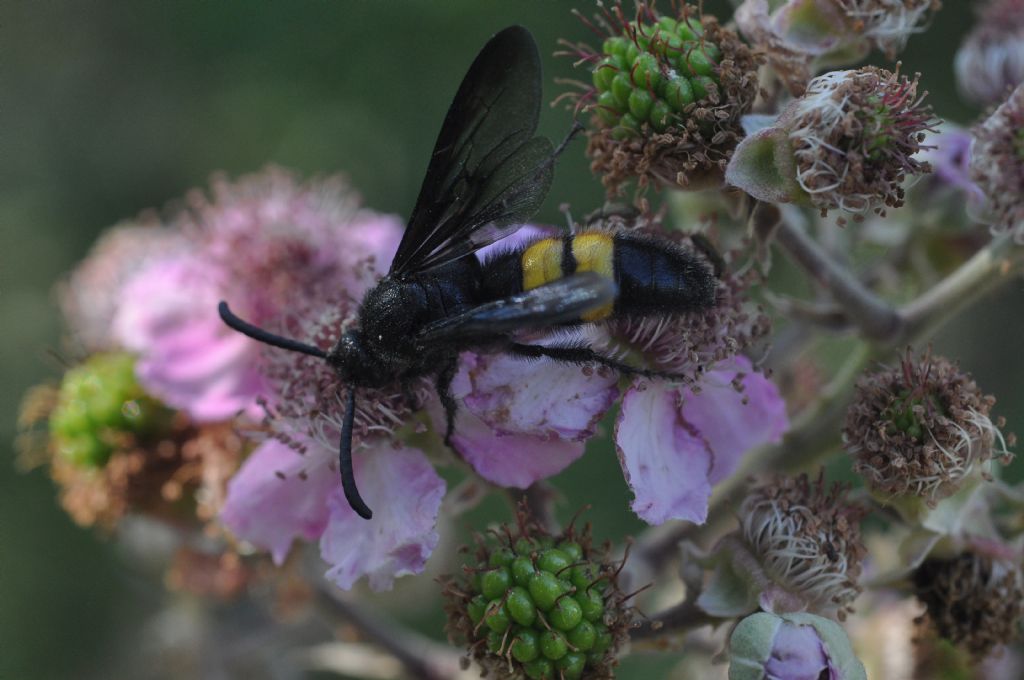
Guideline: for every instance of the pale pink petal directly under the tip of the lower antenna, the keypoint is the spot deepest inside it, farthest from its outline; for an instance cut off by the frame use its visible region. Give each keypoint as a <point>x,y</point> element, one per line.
<point>406,494</point>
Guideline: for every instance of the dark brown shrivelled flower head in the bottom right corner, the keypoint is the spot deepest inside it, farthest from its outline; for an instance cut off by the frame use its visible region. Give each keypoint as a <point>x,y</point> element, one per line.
<point>975,601</point>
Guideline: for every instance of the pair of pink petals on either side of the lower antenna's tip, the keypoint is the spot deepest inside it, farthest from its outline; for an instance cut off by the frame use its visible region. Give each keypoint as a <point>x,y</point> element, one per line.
<point>281,495</point>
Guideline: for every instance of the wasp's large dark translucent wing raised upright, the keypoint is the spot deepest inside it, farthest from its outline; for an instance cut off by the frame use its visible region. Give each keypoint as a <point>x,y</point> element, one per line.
<point>488,174</point>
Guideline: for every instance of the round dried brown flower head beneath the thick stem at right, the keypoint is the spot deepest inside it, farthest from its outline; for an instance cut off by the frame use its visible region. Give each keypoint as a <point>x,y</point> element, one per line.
<point>921,429</point>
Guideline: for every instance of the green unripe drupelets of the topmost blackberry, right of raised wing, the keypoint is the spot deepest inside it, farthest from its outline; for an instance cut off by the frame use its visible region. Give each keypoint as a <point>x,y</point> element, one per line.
<point>654,73</point>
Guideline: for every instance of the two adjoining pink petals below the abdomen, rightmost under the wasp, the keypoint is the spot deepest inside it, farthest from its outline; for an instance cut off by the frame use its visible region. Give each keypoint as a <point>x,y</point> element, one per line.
<point>674,443</point>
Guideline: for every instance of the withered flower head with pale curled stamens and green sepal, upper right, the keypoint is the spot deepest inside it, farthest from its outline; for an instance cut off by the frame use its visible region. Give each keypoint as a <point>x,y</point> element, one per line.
<point>848,144</point>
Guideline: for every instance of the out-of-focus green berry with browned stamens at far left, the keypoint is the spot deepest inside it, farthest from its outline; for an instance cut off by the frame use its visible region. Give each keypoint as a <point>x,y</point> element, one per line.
<point>113,449</point>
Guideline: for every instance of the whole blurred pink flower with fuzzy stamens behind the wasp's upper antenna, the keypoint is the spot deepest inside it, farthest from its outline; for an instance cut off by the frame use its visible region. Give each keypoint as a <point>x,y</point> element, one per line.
<point>262,244</point>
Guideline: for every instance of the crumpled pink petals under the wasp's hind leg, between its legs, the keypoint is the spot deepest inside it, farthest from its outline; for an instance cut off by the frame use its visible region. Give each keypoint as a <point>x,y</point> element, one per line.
<point>523,421</point>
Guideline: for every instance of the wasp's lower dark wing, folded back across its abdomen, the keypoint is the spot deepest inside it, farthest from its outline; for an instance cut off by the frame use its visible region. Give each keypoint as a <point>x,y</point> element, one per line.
<point>562,302</point>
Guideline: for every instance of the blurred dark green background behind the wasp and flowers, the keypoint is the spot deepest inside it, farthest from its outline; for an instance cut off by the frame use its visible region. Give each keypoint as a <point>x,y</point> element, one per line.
<point>110,108</point>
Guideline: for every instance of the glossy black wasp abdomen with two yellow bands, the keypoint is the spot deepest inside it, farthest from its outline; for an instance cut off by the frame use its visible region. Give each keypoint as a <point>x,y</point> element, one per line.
<point>653,276</point>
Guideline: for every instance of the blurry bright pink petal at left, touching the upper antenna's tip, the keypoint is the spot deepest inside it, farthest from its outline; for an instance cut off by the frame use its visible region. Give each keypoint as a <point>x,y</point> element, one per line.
<point>188,358</point>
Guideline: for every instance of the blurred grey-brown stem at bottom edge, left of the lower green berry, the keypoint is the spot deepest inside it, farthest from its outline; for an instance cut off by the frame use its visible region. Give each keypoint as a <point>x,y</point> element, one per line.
<point>423,659</point>
